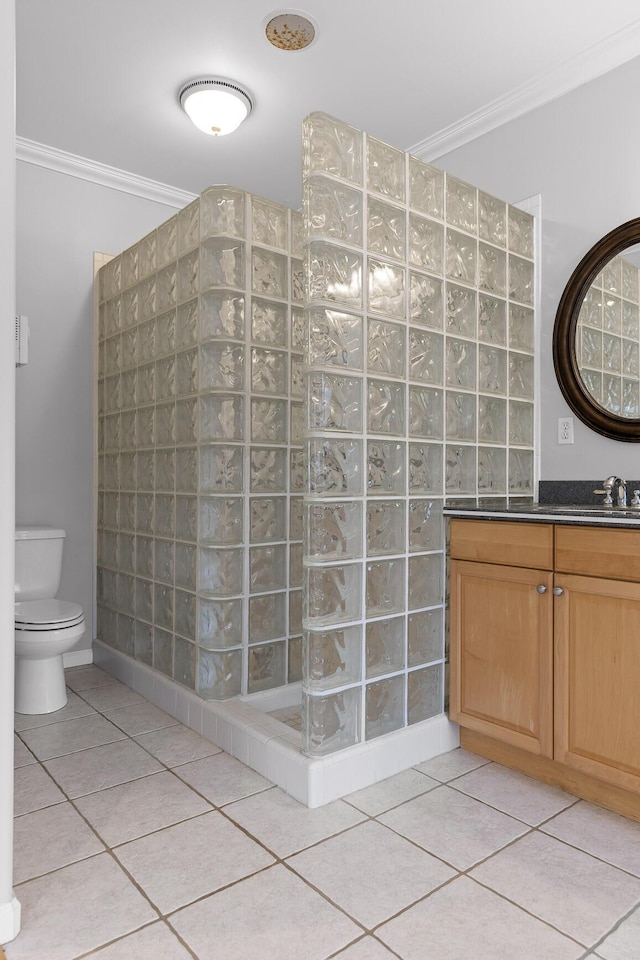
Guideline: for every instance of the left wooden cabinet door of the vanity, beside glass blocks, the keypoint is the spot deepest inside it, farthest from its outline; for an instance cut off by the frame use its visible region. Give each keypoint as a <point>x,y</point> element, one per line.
<point>502,653</point>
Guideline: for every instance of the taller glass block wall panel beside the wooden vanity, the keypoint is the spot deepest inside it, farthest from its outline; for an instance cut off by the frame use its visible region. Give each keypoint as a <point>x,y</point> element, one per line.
<point>419,386</point>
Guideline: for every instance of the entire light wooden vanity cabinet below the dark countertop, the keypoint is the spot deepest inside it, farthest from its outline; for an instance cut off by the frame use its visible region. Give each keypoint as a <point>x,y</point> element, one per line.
<point>545,652</point>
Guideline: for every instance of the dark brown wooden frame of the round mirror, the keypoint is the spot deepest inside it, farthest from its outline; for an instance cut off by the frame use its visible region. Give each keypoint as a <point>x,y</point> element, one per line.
<point>564,336</point>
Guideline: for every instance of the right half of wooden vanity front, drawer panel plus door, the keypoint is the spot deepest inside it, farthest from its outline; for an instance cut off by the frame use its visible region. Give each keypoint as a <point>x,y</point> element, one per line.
<point>597,653</point>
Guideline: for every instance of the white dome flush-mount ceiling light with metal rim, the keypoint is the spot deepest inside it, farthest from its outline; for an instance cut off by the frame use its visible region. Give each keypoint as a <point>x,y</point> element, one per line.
<point>216,106</point>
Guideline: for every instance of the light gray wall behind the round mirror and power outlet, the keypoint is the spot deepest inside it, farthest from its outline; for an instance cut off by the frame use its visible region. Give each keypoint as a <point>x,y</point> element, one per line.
<point>580,153</point>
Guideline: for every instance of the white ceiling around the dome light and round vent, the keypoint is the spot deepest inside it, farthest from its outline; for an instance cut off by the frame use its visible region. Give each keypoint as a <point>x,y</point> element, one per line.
<point>99,78</point>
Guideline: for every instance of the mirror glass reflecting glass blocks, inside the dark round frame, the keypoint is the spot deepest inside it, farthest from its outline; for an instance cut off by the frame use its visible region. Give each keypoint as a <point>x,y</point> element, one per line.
<point>608,332</point>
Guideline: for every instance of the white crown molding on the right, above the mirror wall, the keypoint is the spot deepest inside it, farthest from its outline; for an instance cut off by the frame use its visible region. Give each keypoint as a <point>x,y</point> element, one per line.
<point>597,60</point>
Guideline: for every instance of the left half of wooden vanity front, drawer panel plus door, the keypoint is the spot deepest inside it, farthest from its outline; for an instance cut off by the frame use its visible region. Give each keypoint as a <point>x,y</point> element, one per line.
<point>501,654</point>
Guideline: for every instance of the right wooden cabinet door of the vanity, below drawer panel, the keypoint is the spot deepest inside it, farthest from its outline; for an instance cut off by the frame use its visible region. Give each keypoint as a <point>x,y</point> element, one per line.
<point>597,678</point>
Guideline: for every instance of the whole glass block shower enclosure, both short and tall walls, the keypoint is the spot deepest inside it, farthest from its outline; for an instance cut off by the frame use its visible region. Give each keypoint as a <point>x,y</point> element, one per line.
<point>285,401</point>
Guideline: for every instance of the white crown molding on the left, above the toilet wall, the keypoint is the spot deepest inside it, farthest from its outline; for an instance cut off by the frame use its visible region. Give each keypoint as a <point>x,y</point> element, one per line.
<point>39,154</point>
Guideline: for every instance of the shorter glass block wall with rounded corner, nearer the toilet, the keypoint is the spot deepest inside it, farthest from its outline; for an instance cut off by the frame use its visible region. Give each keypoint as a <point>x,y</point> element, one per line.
<point>201,460</point>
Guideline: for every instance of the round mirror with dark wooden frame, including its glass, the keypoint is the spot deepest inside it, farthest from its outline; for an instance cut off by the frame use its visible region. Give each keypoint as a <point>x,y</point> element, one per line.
<point>596,337</point>
